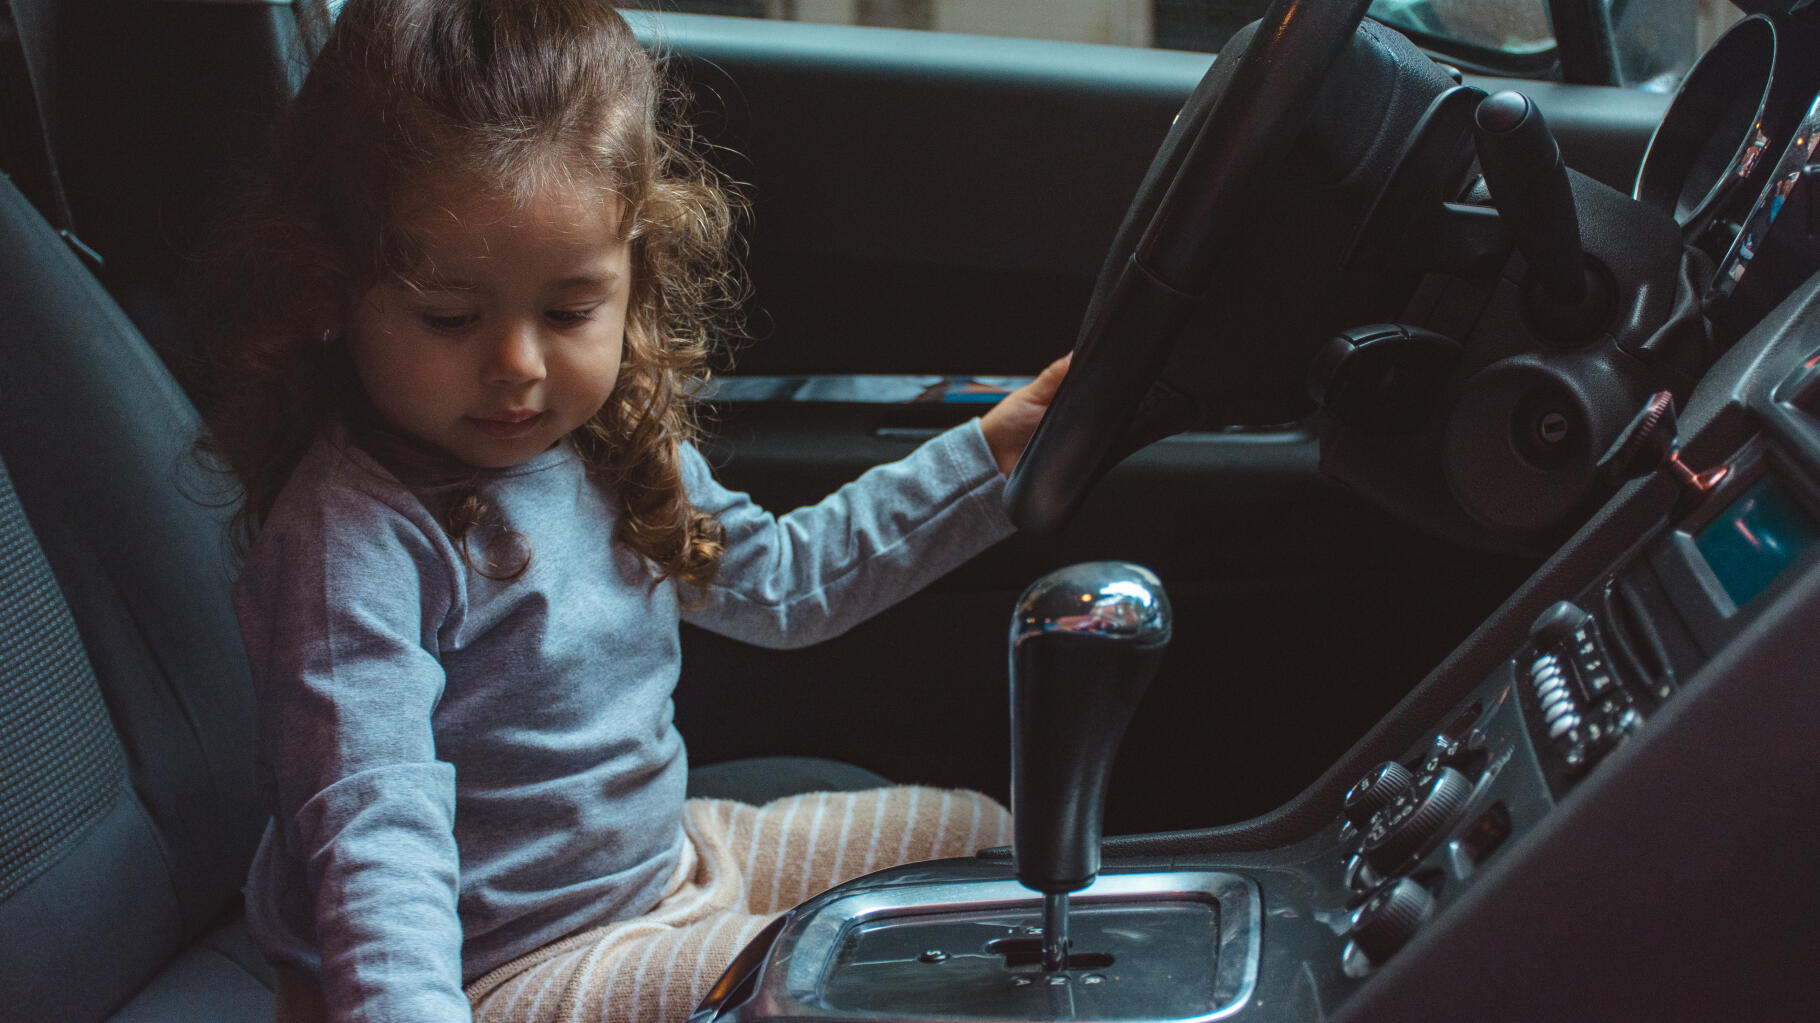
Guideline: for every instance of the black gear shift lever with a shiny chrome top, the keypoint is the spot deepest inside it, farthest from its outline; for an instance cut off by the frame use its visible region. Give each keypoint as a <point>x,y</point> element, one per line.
<point>1086,643</point>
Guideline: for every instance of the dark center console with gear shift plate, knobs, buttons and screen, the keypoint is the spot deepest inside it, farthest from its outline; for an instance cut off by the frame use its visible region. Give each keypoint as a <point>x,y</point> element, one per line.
<point>1599,807</point>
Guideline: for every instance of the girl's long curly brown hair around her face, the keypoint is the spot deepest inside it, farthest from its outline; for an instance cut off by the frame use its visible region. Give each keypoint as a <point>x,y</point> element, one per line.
<point>525,96</point>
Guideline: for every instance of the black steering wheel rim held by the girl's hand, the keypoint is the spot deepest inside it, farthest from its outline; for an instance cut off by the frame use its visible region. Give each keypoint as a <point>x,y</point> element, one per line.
<point>1233,134</point>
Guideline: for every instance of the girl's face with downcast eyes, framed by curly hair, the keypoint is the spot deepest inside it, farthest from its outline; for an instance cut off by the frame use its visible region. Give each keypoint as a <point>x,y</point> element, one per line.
<point>516,334</point>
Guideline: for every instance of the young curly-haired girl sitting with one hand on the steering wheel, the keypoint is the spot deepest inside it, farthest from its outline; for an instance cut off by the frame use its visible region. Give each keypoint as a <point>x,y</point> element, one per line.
<point>452,376</point>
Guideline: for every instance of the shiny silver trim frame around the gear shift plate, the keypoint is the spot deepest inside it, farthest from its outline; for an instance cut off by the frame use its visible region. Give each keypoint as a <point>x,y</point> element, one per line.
<point>804,951</point>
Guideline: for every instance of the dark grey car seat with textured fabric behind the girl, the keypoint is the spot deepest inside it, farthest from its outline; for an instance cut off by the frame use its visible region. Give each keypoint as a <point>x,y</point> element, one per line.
<point>126,793</point>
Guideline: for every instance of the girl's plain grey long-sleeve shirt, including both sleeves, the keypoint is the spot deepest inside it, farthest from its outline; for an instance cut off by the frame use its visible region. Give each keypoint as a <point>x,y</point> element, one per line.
<point>461,769</point>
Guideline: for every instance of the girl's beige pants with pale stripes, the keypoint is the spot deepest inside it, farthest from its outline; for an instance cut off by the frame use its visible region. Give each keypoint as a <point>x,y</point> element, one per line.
<point>742,867</point>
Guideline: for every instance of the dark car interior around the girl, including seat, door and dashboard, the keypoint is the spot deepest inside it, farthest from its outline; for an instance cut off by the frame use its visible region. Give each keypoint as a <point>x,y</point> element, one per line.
<point>1441,474</point>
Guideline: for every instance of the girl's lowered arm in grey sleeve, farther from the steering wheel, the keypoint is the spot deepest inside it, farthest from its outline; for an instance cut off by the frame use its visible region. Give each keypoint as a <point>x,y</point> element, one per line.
<point>339,607</point>
